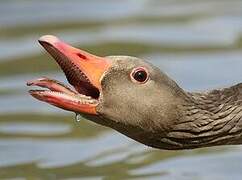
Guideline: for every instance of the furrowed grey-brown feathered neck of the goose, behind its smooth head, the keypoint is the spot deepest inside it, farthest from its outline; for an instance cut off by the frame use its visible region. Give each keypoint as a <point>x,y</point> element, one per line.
<point>208,119</point>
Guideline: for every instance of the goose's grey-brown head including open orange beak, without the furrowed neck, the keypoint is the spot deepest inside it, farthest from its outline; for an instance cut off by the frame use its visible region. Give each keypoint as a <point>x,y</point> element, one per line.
<point>125,93</point>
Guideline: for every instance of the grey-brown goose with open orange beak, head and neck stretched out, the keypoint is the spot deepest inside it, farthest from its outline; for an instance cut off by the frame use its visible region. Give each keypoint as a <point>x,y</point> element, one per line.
<point>135,98</point>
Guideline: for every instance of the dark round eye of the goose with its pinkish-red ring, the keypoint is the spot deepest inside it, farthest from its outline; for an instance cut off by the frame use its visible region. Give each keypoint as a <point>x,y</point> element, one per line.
<point>139,75</point>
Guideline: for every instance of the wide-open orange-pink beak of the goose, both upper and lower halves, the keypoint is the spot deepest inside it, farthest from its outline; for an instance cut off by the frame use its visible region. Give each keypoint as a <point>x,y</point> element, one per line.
<point>83,71</point>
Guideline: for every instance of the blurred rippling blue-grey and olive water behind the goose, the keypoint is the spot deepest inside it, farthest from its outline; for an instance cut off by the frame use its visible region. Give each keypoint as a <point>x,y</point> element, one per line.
<point>196,42</point>
